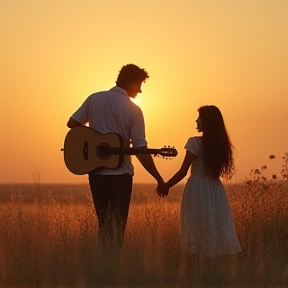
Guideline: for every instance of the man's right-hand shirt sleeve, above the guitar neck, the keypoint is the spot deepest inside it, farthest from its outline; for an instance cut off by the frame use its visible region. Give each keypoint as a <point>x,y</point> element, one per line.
<point>137,133</point>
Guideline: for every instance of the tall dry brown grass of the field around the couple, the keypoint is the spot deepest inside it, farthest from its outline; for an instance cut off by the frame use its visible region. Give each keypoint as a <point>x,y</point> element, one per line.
<point>50,240</point>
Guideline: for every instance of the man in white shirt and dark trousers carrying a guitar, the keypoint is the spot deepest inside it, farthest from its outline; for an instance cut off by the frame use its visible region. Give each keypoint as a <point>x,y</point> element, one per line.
<point>113,111</point>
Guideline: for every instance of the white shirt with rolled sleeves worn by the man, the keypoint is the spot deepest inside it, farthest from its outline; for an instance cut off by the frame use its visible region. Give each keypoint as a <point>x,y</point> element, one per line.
<point>113,111</point>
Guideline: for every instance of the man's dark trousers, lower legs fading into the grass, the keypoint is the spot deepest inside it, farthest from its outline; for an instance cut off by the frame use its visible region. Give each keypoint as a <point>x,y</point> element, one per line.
<point>111,197</point>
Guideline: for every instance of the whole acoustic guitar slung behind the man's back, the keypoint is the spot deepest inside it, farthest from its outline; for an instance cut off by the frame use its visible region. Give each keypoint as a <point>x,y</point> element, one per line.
<point>85,150</point>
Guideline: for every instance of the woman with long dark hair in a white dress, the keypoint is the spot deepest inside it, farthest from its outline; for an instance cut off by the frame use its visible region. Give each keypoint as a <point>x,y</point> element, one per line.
<point>206,223</point>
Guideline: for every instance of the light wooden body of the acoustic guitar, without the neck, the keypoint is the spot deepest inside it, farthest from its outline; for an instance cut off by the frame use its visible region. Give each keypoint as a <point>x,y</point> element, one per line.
<point>81,150</point>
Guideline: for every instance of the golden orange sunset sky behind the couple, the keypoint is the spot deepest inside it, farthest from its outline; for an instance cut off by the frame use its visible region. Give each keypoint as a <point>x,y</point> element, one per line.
<point>228,53</point>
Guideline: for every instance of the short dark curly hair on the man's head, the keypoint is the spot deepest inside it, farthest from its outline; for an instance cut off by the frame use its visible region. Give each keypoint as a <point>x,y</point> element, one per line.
<point>130,73</point>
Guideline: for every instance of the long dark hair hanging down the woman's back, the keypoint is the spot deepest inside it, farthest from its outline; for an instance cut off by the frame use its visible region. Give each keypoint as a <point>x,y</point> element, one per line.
<point>217,147</point>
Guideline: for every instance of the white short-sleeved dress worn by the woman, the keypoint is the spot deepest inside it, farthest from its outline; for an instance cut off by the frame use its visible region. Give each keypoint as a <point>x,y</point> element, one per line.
<point>206,223</point>
